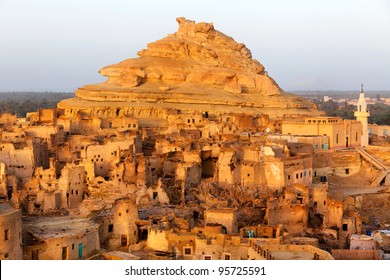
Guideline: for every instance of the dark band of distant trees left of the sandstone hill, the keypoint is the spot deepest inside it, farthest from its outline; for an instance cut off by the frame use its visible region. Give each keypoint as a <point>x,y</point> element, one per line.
<point>19,103</point>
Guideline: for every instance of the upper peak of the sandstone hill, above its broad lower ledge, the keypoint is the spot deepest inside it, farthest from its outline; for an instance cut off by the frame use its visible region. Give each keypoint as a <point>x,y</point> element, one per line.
<point>198,54</point>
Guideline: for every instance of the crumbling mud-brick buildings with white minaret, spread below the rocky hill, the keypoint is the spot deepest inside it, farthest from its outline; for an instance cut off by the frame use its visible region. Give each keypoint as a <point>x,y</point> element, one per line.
<point>199,186</point>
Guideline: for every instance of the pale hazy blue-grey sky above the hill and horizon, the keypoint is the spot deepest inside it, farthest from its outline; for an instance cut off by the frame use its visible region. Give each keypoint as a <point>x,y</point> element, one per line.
<point>59,45</point>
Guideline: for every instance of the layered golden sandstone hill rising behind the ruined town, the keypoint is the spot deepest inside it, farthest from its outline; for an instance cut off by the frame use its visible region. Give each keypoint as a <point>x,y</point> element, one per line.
<point>195,66</point>
